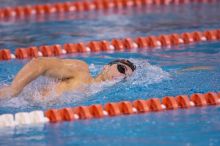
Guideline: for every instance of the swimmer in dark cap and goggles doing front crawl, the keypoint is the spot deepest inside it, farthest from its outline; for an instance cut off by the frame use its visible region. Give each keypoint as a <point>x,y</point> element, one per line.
<point>71,75</point>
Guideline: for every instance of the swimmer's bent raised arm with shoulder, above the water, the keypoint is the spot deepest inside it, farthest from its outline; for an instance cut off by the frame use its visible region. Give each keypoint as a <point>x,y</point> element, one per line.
<point>51,67</point>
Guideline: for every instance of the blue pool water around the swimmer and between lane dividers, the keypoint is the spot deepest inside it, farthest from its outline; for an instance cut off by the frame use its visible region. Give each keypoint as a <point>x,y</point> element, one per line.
<point>159,73</point>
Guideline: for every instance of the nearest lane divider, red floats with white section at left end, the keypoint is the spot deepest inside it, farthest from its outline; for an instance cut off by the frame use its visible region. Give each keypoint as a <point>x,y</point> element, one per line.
<point>111,109</point>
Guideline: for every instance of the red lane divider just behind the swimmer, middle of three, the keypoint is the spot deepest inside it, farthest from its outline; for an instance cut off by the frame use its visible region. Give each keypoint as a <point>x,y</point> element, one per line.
<point>148,43</point>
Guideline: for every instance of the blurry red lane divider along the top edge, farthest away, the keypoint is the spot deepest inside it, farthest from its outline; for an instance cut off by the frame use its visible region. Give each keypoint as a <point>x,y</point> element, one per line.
<point>80,6</point>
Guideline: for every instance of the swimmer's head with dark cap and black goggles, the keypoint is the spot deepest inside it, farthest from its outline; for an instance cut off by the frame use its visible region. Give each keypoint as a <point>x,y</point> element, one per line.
<point>117,69</point>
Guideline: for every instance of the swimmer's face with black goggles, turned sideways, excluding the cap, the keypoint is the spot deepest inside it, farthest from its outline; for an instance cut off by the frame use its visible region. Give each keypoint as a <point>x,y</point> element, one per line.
<point>116,71</point>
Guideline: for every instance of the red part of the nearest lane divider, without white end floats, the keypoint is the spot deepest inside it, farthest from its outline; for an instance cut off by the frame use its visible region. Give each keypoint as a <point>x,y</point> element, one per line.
<point>137,106</point>
